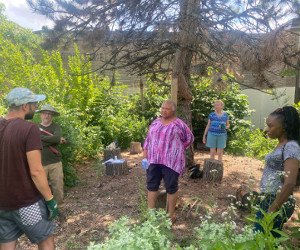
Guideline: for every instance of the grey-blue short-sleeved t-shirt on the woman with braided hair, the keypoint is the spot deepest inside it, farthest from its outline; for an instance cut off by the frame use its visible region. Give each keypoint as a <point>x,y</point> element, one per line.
<point>274,170</point>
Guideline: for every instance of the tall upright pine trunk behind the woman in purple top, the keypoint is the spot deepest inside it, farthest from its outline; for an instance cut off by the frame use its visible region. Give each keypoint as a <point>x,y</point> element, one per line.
<point>180,88</point>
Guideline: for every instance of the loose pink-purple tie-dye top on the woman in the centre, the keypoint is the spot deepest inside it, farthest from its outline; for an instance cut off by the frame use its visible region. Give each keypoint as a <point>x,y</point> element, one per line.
<point>166,144</point>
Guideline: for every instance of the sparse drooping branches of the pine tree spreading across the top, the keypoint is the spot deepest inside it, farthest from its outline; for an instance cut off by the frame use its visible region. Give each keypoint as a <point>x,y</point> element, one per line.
<point>144,35</point>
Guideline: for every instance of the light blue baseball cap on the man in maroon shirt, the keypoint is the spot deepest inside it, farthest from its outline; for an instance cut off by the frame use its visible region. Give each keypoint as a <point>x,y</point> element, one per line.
<point>20,96</point>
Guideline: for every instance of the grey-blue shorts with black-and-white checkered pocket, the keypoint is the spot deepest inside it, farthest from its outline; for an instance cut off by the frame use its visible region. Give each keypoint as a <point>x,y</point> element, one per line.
<point>31,221</point>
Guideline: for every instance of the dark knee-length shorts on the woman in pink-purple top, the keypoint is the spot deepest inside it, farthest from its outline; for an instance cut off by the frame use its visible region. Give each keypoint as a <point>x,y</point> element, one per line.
<point>157,172</point>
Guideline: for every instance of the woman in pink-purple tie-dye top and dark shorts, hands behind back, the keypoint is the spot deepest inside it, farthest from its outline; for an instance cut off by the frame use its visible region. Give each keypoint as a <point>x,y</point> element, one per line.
<point>164,148</point>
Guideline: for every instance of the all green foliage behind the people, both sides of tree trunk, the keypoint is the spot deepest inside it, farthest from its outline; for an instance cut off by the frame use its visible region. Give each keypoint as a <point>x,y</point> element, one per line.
<point>94,113</point>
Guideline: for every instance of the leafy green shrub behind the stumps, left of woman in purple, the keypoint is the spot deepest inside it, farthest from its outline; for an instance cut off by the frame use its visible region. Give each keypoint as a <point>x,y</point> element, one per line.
<point>110,111</point>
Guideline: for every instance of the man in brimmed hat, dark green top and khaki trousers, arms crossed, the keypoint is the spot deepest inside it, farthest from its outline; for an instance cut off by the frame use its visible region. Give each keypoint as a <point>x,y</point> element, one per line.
<point>51,157</point>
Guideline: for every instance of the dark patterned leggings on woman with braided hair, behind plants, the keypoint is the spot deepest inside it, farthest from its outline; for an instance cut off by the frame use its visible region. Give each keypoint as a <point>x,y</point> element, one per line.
<point>286,210</point>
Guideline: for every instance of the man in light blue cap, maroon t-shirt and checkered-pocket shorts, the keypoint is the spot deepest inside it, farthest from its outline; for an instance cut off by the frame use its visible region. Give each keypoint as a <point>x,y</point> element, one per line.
<point>27,205</point>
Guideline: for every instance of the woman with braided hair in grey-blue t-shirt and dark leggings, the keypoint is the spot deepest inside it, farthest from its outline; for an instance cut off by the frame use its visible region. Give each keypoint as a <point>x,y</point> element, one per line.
<point>281,167</point>
